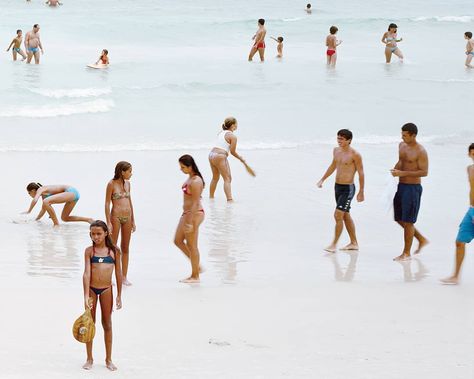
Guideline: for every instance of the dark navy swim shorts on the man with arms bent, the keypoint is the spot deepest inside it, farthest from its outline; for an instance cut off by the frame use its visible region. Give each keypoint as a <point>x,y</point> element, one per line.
<point>406,202</point>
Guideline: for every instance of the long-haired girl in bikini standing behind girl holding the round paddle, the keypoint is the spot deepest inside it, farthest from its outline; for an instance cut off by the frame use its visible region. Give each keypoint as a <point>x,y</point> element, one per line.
<point>121,220</point>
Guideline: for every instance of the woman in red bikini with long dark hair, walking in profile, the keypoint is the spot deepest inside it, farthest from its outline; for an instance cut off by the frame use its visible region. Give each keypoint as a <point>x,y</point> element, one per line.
<point>192,217</point>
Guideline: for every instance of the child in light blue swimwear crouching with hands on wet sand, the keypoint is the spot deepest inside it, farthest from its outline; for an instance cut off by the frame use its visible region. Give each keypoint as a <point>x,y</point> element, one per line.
<point>55,194</point>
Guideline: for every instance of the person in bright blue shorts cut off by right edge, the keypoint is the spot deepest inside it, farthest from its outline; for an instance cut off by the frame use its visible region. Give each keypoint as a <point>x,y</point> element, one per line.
<point>466,229</point>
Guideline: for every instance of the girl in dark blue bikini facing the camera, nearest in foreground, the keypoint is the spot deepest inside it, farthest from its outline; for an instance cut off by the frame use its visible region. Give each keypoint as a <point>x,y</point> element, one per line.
<point>100,259</point>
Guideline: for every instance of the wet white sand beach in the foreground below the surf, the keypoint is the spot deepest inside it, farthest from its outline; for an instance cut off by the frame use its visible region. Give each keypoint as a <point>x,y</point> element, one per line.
<point>271,302</point>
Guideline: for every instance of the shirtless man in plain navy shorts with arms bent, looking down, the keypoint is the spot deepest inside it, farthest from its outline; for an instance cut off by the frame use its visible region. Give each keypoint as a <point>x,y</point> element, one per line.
<point>412,165</point>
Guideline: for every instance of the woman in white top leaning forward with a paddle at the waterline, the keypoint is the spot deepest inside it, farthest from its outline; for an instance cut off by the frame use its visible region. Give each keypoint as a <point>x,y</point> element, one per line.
<point>226,143</point>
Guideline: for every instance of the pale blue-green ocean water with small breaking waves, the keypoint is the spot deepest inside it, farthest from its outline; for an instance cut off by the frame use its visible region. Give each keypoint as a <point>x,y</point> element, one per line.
<point>179,68</point>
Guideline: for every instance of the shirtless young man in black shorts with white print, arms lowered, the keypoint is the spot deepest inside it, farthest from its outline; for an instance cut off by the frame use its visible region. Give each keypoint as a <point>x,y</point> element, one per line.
<point>346,162</point>
